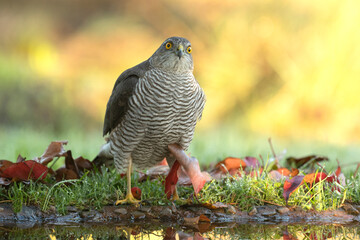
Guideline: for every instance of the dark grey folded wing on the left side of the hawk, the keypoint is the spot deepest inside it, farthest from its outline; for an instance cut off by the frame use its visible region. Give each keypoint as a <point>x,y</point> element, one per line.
<point>122,91</point>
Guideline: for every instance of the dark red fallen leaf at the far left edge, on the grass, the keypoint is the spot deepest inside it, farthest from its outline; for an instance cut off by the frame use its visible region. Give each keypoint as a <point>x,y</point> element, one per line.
<point>25,171</point>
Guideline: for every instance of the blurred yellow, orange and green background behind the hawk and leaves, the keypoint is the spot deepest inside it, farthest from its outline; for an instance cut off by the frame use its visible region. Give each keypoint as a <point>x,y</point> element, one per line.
<point>283,69</point>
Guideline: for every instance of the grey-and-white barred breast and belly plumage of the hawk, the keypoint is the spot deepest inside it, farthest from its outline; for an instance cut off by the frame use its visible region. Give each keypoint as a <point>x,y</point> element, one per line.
<point>164,109</point>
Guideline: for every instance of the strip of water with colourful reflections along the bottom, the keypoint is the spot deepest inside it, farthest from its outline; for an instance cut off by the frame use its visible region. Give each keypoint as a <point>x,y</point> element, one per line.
<point>196,232</point>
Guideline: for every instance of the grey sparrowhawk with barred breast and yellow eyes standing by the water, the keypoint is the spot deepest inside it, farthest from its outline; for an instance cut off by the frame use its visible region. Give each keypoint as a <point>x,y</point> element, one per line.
<point>153,105</point>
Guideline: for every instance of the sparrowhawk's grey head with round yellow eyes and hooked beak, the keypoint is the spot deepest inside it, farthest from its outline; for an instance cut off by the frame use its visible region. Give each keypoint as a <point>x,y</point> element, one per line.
<point>174,54</point>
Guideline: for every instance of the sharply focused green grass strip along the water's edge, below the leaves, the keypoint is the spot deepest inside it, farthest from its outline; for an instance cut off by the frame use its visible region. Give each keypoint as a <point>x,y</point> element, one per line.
<point>95,190</point>
